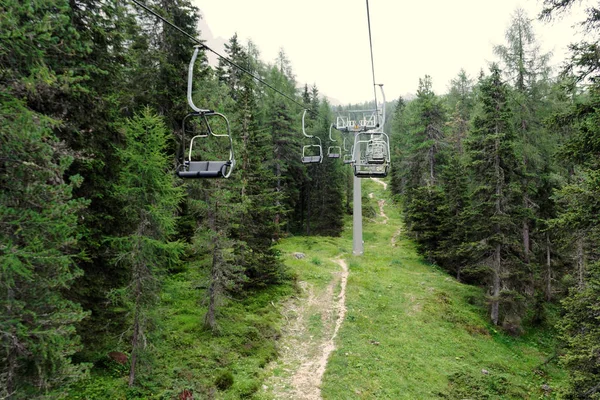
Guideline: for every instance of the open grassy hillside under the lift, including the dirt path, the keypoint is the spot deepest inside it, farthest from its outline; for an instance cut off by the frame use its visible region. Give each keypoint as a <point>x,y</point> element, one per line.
<point>410,331</point>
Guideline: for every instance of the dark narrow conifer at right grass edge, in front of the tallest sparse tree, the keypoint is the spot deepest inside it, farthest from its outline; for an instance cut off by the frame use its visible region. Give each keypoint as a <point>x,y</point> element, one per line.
<point>494,164</point>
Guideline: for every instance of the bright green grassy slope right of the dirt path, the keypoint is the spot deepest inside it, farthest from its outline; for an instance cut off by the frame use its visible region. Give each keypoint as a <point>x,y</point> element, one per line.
<point>413,332</point>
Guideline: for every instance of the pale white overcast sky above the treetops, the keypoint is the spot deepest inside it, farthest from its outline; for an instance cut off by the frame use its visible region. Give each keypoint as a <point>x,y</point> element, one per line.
<point>327,41</point>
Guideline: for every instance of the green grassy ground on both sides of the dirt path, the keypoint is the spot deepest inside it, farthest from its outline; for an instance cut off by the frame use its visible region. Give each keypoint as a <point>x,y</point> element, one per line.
<point>410,332</point>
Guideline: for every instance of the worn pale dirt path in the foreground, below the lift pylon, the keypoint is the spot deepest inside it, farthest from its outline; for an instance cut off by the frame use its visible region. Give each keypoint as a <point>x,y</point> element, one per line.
<point>313,322</point>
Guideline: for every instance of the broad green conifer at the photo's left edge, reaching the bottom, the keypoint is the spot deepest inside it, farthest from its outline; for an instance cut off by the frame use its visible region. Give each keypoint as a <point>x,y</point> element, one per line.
<point>38,236</point>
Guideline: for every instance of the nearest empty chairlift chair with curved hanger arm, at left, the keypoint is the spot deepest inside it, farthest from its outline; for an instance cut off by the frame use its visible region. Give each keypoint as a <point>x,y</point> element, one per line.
<point>199,125</point>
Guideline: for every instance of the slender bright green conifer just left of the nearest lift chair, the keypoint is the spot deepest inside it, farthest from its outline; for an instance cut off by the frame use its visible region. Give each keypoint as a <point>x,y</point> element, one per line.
<point>150,199</point>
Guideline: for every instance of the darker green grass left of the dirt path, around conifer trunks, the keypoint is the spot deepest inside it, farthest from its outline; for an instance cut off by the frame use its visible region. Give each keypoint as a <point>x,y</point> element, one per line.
<point>183,355</point>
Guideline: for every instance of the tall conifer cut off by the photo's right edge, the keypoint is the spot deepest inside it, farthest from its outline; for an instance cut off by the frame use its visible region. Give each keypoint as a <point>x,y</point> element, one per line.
<point>578,209</point>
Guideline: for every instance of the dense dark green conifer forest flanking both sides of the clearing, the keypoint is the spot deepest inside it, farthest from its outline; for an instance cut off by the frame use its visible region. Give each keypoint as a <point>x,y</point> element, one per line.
<point>497,180</point>
